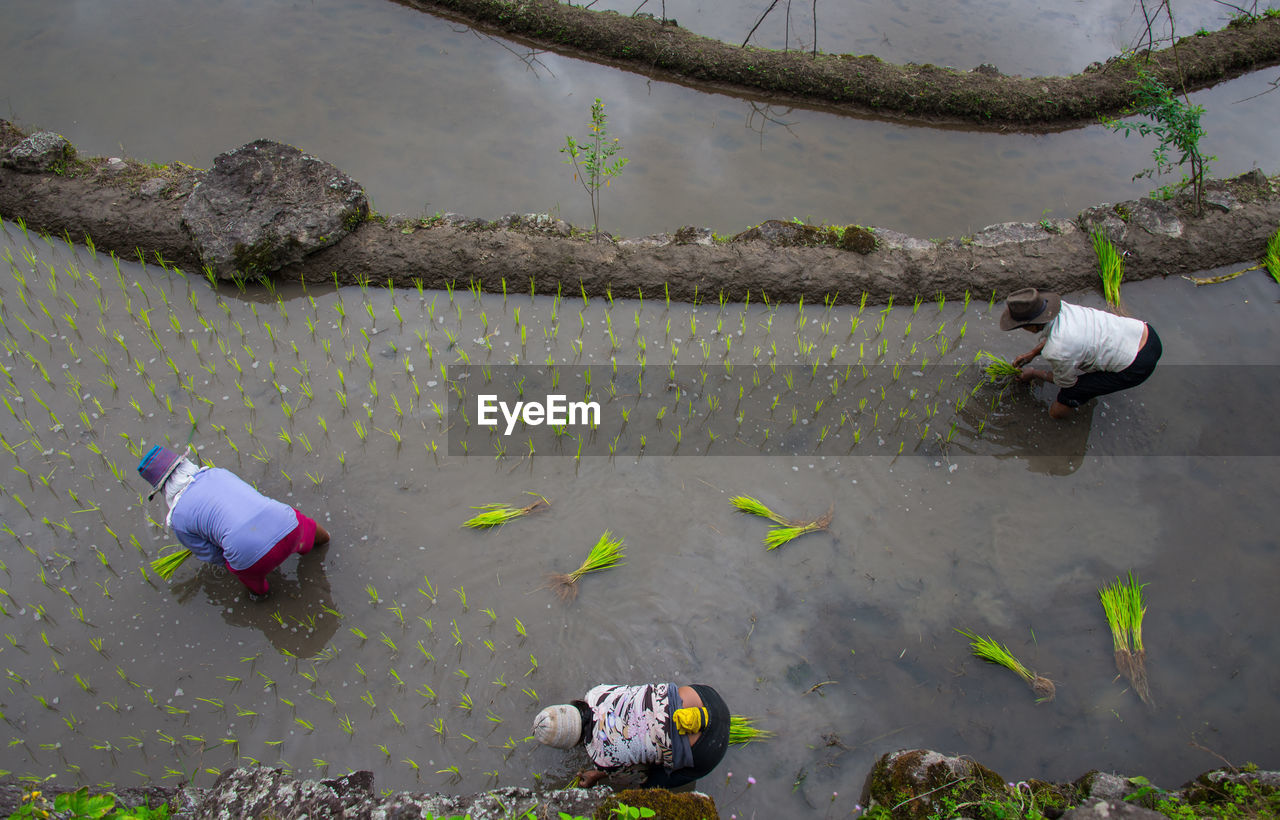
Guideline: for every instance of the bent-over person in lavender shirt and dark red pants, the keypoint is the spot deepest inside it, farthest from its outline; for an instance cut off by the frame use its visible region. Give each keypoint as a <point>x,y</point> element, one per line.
<point>223,520</point>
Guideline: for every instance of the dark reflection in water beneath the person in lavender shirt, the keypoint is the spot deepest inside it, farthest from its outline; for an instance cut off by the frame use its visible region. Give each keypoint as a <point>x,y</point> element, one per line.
<point>299,619</point>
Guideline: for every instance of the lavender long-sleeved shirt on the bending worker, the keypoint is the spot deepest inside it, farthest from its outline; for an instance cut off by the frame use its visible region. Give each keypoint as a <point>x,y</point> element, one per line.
<point>220,517</point>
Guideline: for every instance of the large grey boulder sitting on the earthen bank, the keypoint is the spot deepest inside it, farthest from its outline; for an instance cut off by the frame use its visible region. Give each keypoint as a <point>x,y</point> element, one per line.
<point>267,205</point>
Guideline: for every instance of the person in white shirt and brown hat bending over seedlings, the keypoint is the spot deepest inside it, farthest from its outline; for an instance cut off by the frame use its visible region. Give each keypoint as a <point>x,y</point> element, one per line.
<point>1091,352</point>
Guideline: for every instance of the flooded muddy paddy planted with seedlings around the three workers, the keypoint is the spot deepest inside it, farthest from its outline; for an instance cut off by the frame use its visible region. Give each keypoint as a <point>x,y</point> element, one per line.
<point>842,643</point>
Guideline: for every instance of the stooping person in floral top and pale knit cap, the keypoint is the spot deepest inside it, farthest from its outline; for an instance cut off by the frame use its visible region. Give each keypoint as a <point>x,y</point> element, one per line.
<point>653,735</point>
